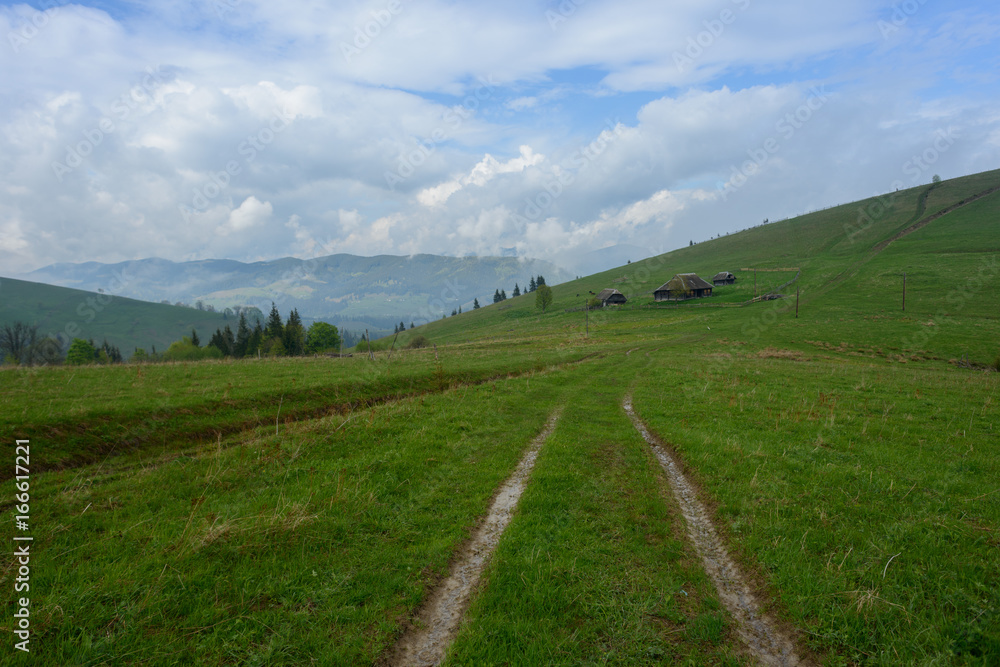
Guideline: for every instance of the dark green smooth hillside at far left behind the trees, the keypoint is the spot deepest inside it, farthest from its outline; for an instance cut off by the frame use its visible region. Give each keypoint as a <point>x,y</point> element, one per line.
<point>125,323</point>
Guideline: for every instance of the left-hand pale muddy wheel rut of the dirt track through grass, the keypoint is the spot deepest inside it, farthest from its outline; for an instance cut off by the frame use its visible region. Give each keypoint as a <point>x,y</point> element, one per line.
<point>438,619</point>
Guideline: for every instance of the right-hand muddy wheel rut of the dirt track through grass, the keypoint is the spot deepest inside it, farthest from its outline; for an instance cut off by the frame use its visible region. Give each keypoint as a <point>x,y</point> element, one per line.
<point>767,643</point>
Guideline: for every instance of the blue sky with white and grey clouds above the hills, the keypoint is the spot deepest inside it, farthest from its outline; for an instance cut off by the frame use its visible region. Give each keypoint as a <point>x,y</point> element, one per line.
<point>253,130</point>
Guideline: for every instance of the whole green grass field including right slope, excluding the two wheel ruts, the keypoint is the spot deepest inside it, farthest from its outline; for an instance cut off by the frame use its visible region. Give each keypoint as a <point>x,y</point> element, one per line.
<point>299,511</point>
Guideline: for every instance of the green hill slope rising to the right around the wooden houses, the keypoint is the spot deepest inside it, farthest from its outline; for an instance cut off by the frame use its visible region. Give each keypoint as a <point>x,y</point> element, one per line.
<point>947,241</point>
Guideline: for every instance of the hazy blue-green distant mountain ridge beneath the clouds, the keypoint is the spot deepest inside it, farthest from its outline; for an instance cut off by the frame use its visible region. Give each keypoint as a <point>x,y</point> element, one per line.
<point>349,289</point>
